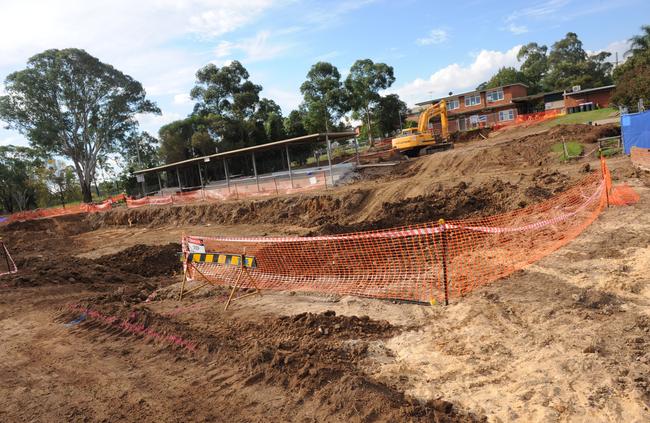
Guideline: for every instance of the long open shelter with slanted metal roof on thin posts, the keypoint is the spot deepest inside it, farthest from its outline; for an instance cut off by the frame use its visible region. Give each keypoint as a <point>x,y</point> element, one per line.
<point>252,150</point>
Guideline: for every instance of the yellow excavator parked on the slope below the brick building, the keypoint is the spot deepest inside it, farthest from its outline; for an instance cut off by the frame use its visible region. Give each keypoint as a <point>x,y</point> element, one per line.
<point>419,141</point>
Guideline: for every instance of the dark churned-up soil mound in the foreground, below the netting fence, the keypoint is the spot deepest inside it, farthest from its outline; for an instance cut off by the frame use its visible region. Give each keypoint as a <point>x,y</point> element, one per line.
<point>310,356</point>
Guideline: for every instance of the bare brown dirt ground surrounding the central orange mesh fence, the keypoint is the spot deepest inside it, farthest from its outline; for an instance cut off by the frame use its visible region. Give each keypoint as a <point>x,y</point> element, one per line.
<point>92,329</point>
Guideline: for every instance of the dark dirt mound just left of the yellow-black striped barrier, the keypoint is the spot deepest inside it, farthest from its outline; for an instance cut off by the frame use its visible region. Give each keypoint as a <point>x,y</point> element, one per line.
<point>145,260</point>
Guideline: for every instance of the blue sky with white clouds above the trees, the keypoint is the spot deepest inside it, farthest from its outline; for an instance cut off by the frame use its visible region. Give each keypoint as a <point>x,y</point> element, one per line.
<point>451,46</point>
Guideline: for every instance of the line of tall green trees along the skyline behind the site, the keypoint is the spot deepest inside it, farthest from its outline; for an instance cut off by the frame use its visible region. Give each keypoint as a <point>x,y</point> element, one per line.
<point>72,106</point>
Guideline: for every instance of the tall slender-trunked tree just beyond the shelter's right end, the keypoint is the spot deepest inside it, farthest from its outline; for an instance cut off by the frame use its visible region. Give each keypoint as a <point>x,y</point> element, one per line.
<point>363,84</point>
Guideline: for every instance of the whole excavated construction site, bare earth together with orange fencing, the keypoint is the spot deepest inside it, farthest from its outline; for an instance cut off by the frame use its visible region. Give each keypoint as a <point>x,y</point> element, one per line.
<point>494,281</point>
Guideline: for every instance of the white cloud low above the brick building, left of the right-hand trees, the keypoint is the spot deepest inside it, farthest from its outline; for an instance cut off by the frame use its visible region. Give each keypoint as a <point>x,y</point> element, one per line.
<point>456,77</point>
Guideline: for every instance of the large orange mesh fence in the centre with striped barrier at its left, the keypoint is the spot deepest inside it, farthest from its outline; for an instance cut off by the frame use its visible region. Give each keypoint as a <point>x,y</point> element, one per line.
<point>429,262</point>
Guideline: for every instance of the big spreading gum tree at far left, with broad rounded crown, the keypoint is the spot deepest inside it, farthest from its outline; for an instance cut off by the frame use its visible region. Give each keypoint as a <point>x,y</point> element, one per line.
<point>68,103</point>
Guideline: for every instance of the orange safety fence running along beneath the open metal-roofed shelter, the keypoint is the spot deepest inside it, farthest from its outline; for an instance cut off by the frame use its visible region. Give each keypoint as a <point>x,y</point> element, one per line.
<point>236,191</point>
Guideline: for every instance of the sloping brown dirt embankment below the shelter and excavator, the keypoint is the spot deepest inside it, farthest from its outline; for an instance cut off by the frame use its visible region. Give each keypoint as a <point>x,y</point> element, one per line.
<point>476,179</point>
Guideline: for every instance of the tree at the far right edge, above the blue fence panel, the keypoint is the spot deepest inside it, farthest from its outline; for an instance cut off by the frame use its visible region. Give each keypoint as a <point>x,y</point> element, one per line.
<point>633,76</point>
